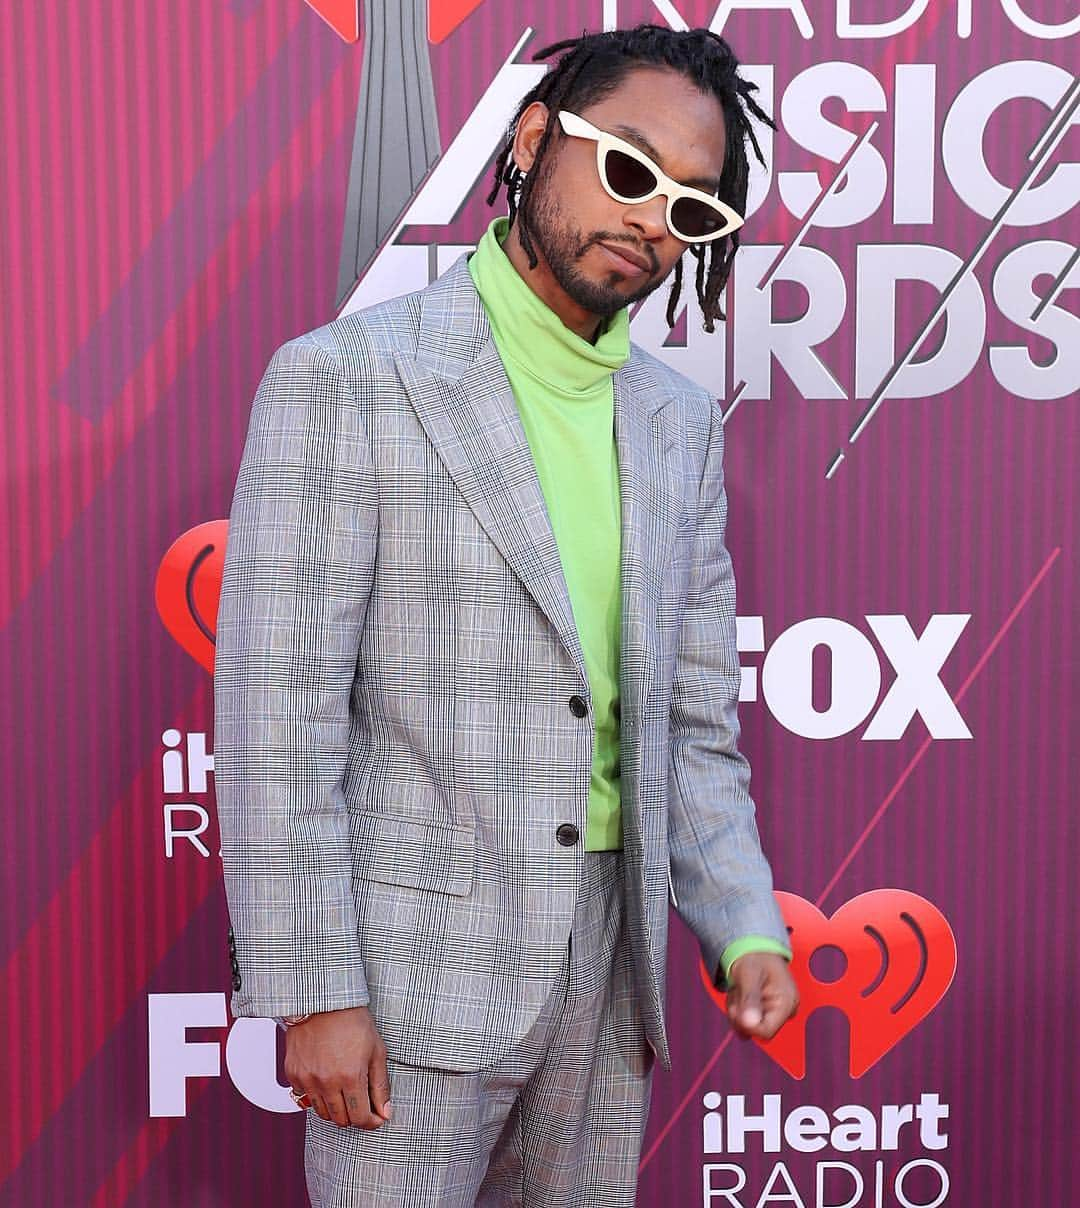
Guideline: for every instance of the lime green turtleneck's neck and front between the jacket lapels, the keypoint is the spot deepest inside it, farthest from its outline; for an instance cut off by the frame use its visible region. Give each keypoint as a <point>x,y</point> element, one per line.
<point>562,386</point>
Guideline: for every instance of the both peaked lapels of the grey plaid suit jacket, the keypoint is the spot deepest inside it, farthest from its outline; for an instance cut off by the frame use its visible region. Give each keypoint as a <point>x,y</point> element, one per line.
<point>460,391</point>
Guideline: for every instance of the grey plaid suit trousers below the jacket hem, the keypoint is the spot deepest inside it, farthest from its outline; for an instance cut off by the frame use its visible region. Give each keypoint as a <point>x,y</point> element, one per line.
<point>556,1124</point>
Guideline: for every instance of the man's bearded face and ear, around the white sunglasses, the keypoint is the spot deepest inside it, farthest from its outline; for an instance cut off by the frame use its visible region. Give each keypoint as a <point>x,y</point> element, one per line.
<point>571,214</point>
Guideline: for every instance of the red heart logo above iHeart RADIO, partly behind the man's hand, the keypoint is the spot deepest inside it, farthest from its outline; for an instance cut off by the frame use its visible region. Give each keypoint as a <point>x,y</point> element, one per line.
<point>901,956</point>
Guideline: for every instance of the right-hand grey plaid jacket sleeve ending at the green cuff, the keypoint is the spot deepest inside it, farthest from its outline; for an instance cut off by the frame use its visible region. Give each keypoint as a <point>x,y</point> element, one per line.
<point>722,882</point>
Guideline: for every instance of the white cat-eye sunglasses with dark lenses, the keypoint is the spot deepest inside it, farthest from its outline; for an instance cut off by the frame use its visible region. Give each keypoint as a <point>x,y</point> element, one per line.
<point>631,177</point>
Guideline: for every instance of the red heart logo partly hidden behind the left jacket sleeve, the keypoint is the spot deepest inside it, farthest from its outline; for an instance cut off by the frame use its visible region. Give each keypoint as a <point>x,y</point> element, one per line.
<point>189,586</point>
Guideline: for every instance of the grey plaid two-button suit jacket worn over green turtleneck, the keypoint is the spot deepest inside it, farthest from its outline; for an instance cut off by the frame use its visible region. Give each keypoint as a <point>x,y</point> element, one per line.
<point>394,747</point>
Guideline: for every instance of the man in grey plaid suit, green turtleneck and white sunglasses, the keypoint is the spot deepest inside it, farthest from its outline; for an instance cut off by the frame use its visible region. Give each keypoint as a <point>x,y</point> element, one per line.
<point>477,673</point>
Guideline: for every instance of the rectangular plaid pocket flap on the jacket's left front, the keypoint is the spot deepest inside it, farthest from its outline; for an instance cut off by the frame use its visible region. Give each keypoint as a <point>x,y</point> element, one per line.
<point>407,852</point>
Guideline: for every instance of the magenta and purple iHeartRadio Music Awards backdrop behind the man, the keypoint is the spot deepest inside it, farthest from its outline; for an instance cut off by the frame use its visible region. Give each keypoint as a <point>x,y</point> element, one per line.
<point>191,185</point>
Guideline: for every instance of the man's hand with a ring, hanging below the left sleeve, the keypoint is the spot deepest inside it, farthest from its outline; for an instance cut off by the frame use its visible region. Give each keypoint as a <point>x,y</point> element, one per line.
<point>340,1060</point>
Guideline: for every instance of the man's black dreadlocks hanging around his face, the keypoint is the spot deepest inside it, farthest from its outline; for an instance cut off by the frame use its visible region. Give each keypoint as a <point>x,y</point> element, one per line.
<point>593,68</point>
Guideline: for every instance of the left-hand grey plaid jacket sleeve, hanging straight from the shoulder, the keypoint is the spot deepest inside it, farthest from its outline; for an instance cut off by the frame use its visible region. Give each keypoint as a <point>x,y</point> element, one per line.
<point>298,577</point>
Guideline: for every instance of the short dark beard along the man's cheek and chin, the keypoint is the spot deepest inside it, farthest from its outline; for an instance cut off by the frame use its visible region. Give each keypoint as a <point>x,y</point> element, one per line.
<point>564,246</point>
